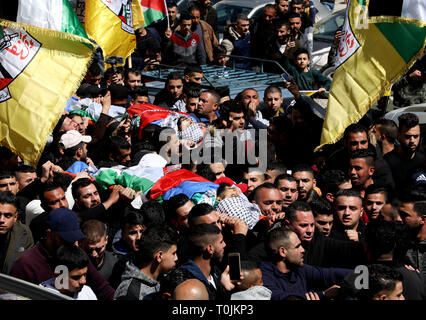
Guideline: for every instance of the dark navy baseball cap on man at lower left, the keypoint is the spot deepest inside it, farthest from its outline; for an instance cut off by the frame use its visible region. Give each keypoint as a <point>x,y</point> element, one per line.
<point>65,222</point>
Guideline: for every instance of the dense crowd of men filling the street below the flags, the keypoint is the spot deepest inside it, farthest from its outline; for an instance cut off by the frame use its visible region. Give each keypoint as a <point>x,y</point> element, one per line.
<point>302,222</point>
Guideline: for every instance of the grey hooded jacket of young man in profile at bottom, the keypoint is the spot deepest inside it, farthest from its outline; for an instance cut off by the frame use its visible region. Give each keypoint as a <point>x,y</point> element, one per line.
<point>148,287</point>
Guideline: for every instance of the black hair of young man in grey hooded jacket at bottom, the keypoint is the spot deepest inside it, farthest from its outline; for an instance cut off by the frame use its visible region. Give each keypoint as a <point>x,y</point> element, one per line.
<point>154,239</point>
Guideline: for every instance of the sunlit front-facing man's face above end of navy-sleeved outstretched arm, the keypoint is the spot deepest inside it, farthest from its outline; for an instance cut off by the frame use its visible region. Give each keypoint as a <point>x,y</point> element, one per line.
<point>348,210</point>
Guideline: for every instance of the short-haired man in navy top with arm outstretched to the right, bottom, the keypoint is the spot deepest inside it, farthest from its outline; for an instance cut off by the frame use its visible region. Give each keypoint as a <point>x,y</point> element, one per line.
<point>286,274</point>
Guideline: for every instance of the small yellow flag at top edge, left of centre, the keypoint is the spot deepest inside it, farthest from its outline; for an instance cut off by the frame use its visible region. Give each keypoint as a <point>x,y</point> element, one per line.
<point>111,24</point>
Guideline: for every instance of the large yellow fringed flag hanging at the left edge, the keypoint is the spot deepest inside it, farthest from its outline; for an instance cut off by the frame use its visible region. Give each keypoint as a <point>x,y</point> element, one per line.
<point>39,70</point>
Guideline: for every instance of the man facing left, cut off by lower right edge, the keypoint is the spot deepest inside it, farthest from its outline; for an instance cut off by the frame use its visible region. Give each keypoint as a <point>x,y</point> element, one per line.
<point>412,209</point>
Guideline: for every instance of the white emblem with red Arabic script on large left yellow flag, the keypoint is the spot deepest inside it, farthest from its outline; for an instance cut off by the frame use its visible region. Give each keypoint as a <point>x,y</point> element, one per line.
<point>17,49</point>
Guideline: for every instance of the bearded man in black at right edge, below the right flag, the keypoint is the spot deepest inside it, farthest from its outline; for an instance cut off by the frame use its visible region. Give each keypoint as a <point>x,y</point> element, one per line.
<point>405,160</point>
